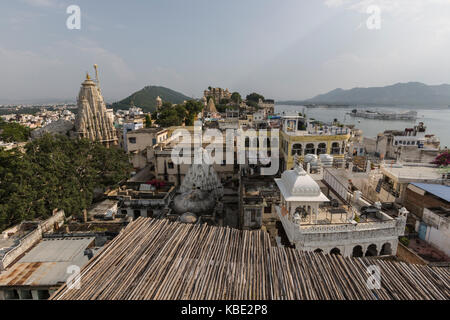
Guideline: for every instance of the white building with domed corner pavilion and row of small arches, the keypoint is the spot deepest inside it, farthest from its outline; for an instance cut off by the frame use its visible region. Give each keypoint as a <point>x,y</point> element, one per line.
<point>311,223</point>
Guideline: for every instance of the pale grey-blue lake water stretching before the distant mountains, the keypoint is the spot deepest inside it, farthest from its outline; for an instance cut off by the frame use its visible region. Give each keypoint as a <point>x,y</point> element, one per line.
<point>437,121</point>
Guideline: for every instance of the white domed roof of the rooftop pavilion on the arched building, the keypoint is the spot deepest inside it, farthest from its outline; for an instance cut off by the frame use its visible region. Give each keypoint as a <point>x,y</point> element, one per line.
<point>299,183</point>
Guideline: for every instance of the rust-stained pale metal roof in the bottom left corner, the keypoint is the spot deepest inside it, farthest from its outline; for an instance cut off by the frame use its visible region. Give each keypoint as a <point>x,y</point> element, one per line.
<point>47,263</point>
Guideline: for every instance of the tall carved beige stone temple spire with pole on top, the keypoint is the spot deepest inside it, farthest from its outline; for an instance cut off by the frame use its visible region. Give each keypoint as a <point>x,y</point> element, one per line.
<point>93,120</point>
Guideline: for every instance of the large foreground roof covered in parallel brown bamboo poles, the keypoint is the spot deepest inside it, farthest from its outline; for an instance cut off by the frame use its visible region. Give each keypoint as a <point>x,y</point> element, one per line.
<point>154,260</point>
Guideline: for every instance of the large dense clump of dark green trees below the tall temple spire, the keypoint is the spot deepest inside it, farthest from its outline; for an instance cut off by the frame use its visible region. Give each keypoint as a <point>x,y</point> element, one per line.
<point>56,172</point>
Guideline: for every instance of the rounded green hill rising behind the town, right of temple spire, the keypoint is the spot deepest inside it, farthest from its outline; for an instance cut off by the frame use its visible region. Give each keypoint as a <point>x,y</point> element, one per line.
<point>146,98</point>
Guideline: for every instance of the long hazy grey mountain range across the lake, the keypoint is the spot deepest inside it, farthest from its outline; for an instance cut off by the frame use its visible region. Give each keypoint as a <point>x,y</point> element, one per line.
<point>414,94</point>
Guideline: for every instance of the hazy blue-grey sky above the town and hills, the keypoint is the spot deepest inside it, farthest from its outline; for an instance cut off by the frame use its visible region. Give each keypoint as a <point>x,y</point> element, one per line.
<point>284,49</point>
